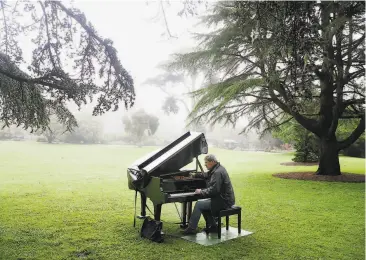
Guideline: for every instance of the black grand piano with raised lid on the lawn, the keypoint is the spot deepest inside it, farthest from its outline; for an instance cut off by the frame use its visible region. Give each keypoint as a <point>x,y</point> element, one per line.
<point>159,175</point>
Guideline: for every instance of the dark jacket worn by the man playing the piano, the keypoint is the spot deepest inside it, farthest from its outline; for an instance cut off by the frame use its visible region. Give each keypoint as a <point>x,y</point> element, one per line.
<point>219,189</point>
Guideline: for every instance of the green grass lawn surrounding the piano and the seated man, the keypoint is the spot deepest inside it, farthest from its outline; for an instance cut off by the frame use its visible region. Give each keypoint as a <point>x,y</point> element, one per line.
<point>72,202</point>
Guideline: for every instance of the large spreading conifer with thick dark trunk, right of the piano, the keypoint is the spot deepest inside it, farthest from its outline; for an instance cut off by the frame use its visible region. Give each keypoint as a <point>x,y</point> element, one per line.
<point>276,59</point>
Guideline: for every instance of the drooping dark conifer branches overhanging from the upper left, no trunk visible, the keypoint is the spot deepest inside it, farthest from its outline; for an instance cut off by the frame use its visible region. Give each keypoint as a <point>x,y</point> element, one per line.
<point>30,91</point>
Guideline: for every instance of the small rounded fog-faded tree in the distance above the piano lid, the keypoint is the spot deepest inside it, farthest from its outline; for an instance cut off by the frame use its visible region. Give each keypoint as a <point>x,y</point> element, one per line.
<point>140,124</point>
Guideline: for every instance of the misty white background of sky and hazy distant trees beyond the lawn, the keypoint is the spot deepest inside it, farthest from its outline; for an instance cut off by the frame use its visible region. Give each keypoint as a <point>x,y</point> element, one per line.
<point>140,35</point>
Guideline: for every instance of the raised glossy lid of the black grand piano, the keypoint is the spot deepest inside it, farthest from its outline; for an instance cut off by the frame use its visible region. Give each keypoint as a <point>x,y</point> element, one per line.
<point>174,156</point>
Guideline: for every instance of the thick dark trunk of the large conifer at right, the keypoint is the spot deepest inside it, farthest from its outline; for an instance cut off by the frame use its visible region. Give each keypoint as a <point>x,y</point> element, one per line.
<point>329,160</point>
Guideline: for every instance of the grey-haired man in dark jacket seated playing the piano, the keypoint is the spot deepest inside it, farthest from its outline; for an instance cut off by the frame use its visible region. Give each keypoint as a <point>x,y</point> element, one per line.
<point>219,195</point>
